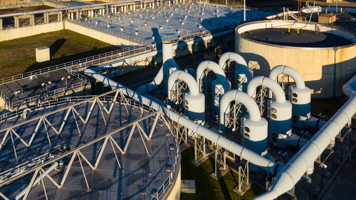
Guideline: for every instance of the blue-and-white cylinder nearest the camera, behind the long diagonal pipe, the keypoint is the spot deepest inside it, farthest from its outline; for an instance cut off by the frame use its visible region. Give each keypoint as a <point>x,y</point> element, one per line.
<point>255,137</point>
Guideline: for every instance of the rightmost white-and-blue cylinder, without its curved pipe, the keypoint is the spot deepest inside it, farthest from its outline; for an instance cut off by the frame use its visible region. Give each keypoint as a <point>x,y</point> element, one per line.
<point>300,99</point>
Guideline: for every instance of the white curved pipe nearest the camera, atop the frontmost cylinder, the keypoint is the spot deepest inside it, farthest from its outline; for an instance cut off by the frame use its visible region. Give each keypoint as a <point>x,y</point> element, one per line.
<point>246,100</point>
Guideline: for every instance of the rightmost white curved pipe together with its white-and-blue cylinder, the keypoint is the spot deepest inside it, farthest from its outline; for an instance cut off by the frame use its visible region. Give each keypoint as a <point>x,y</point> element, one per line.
<point>300,95</point>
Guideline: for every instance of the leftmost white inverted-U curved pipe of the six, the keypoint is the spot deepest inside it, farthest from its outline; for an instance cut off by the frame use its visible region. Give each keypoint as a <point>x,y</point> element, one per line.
<point>187,78</point>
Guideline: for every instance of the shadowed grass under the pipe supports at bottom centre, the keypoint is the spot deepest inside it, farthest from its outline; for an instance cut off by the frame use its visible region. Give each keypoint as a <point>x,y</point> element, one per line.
<point>209,188</point>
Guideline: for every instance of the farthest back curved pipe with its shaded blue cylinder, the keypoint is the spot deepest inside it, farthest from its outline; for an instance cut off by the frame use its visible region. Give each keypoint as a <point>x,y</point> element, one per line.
<point>242,76</point>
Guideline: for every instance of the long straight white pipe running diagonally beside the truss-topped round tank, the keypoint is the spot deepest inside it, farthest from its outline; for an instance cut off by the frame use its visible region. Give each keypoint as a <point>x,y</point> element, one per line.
<point>223,142</point>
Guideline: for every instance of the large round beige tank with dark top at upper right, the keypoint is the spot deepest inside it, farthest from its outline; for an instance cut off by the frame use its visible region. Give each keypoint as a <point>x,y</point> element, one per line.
<point>322,54</point>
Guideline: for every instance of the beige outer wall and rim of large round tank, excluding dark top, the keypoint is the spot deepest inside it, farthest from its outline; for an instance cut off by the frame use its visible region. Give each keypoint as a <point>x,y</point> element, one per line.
<point>324,69</point>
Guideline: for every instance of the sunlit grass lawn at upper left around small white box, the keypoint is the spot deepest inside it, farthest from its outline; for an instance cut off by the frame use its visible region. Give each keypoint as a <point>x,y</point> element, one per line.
<point>19,55</point>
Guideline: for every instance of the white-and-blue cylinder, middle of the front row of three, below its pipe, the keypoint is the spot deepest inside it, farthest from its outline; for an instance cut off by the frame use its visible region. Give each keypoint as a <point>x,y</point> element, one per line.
<point>279,122</point>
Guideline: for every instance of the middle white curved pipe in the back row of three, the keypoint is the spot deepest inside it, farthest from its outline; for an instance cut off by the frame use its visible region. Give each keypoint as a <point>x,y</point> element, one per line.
<point>220,74</point>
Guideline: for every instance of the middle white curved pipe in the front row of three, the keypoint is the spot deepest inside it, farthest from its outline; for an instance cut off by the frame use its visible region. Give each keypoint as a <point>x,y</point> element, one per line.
<point>271,84</point>
